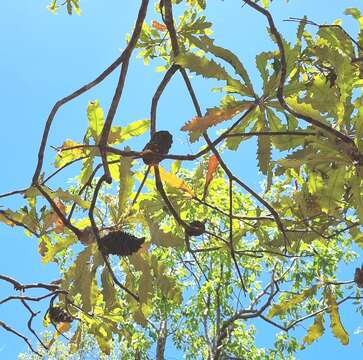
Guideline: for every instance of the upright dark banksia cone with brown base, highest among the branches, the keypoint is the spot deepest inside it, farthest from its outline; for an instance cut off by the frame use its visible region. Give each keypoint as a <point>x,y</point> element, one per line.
<point>159,143</point>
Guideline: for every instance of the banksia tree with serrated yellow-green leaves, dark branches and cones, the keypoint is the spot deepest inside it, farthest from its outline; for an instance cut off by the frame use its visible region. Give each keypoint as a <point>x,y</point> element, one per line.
<point>156,248</point>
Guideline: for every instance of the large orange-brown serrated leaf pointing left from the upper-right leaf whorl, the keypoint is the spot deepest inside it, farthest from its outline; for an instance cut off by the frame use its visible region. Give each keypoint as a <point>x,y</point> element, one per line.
<point>213,117</point>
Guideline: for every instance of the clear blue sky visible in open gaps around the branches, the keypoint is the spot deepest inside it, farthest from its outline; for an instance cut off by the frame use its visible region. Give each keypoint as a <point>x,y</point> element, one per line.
<point>44,57</point>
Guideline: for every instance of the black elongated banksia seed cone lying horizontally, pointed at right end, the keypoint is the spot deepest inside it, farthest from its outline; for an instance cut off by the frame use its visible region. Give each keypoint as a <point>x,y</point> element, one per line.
<point>120,243</point>
